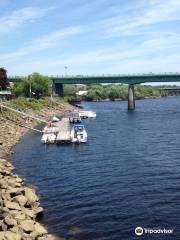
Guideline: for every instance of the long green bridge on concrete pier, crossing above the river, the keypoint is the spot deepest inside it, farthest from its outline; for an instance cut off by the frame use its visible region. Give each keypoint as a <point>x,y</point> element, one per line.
<point>130,79</point>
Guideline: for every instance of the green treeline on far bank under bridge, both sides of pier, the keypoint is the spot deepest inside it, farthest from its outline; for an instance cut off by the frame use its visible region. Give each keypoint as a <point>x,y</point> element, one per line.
<point>119,91</point>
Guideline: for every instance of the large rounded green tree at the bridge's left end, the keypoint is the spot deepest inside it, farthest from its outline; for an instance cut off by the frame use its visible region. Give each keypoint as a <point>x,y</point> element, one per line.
<point>36,85</point>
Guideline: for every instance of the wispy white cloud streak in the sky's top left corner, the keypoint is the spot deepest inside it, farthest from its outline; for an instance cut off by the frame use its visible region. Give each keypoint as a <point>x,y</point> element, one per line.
<point>20,17</point>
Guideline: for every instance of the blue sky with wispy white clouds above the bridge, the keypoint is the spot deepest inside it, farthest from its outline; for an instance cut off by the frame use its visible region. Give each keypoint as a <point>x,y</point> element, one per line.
<point>89,37</point>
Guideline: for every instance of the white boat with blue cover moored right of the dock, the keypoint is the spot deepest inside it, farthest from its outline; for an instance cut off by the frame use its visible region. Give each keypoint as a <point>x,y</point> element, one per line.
<point>78,134</point>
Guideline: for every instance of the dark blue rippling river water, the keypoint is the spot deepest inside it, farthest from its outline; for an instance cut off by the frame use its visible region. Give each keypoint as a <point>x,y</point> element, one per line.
<point>127,175</point>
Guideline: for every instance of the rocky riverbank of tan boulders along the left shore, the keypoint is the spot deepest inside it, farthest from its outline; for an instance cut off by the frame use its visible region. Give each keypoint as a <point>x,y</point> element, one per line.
<point>20,205</point>
